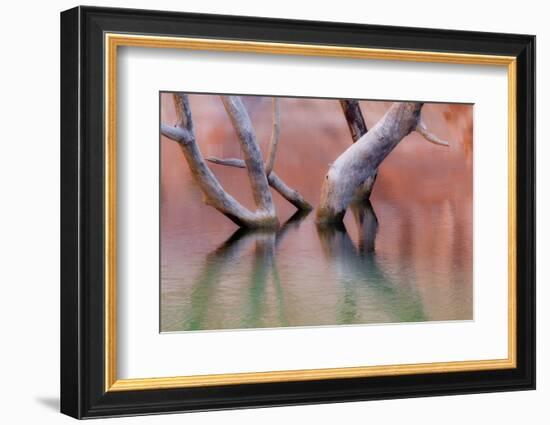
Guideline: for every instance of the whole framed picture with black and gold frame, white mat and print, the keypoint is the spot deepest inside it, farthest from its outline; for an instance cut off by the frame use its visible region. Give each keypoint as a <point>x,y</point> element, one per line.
<point>261,212</point>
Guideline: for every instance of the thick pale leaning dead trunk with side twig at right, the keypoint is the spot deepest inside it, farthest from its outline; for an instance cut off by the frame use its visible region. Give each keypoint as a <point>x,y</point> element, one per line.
<point>351,177</point>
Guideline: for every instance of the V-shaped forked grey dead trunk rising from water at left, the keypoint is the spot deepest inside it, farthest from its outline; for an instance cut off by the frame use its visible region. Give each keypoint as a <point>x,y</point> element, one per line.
<point>214,194</point>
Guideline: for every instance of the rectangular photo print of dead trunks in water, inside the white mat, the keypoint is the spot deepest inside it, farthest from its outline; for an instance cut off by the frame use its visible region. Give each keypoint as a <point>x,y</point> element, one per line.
<point>281,212</point>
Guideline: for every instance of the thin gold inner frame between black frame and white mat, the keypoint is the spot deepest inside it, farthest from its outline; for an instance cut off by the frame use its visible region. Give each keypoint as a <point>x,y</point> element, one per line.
<point>113,41</point>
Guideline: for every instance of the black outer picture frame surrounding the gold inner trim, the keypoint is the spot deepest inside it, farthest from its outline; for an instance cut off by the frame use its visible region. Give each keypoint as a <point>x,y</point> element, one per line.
<point>83,392</point>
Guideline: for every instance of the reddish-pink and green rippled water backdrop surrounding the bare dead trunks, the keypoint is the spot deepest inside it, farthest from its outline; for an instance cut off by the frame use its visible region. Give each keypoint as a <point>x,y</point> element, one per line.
<point>404,257</point>
